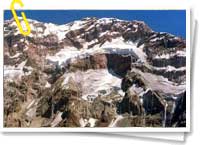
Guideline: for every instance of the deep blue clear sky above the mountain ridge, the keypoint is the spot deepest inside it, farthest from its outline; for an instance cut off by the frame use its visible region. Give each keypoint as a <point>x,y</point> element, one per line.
<point>171,21</point>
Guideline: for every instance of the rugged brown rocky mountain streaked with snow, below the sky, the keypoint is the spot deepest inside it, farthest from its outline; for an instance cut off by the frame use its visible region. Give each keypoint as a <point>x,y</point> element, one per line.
<point>93,73</point>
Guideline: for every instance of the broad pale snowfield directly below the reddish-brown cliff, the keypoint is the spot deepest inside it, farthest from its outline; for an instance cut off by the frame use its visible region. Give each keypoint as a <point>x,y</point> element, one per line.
<point>94,81</point>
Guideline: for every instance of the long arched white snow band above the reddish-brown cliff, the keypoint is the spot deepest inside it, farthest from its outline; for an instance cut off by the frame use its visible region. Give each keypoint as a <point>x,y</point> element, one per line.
<point>118,46</point>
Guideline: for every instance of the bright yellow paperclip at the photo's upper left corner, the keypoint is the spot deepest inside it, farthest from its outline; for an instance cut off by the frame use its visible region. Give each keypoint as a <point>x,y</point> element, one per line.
<point>28,31</point>
